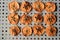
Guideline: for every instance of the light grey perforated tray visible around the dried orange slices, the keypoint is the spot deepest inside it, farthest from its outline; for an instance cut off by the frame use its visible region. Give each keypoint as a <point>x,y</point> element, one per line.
<point>4,24</point>
